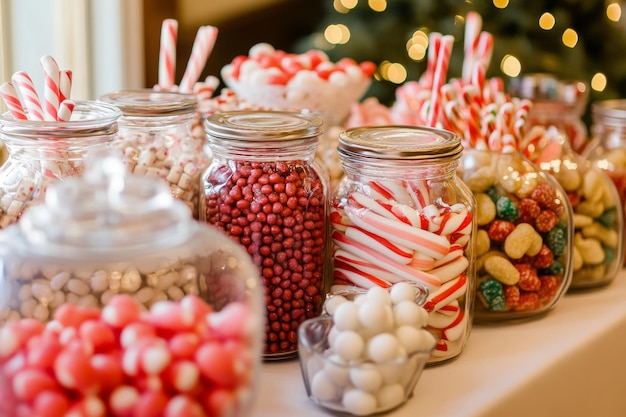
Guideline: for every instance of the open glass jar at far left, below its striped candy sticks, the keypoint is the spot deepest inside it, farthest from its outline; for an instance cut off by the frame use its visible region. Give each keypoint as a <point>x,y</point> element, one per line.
<point>44,152</point>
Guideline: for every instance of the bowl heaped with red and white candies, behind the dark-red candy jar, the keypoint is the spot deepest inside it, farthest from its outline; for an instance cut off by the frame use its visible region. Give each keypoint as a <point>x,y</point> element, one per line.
<point>310,81</point>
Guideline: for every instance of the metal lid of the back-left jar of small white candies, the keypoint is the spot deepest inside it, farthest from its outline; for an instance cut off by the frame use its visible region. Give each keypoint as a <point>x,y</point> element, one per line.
<point>151,103</point>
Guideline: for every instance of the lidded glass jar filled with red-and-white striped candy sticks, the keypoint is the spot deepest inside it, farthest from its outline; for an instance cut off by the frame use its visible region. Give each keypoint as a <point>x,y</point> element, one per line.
<point>401,213</point>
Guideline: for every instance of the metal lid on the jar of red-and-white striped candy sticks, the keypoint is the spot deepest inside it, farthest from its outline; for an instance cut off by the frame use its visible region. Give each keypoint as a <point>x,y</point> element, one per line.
<point>399,143</point>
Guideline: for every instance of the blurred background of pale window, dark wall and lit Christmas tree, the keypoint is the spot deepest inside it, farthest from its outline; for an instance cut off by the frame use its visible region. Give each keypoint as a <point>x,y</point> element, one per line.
<point>114,44</point>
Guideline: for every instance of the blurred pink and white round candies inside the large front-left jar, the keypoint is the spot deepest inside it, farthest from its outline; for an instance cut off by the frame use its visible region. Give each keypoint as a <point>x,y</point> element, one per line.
<point>176,359</point>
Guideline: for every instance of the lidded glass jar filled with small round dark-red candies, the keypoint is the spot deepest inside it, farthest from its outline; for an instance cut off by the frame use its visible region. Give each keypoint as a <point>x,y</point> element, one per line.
<point>265,189</point>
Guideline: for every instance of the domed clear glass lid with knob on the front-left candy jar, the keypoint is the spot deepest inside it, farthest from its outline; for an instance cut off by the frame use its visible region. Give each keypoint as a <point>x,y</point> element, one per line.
<point>104,212</point>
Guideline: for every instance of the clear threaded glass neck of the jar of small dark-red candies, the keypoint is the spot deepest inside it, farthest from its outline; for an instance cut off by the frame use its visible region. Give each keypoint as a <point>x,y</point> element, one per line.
<point>269,150</point>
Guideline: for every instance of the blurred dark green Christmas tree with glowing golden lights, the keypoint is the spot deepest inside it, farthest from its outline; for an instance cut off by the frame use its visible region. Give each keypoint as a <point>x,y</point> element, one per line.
<point>580,40</point>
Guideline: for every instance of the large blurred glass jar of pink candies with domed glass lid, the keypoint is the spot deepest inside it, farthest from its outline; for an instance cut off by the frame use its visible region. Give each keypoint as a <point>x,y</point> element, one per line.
<point>147,303</point>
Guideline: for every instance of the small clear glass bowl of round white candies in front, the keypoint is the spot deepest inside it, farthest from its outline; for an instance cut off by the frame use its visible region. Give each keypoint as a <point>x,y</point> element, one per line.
<point>366,354</point>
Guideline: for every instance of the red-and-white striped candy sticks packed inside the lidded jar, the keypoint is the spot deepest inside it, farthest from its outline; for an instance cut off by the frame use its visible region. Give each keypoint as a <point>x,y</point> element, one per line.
<point>401,232</point>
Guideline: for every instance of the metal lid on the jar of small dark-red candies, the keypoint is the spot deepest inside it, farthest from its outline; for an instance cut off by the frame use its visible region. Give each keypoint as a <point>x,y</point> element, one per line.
<point>263,125</point>
